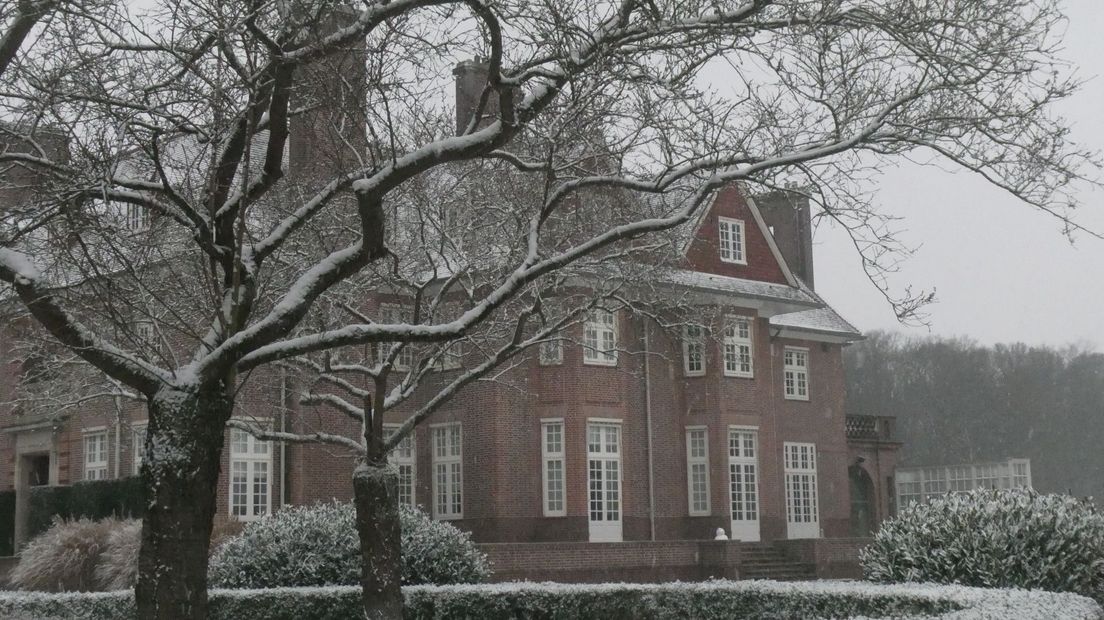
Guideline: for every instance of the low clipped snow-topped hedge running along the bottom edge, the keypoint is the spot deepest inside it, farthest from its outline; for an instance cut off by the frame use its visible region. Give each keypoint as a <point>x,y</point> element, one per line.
<point>714,600</point>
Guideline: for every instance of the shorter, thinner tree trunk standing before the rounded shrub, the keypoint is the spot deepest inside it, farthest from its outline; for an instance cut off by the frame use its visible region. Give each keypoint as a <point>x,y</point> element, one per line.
<point>376,495</point>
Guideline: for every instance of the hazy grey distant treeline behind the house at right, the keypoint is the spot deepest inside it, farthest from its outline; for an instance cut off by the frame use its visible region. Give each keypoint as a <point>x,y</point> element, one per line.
<point>958,402</point>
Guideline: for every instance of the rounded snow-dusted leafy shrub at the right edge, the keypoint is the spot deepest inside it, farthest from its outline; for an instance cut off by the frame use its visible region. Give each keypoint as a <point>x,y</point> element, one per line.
<point>1000,539</point>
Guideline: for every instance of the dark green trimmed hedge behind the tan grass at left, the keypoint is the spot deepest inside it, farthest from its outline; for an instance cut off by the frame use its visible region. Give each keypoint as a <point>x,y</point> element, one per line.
<point>123,498</point>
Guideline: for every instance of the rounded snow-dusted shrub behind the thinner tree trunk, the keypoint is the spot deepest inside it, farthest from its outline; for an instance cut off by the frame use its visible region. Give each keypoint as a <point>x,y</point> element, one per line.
<point>319,547</point>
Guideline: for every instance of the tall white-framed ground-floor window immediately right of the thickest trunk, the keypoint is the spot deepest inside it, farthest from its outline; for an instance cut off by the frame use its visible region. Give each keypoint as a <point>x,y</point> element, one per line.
<point>250,476</point>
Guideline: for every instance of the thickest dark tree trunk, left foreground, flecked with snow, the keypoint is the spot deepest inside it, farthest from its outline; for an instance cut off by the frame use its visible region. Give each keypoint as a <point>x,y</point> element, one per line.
<point>184,448</point>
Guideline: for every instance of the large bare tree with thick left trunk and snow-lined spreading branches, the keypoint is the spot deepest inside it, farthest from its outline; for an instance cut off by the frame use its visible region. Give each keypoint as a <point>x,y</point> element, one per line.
<point>190,116</point>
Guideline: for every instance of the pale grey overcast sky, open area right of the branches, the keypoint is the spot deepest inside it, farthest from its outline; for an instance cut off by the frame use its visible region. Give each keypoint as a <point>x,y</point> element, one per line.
<point>1003,273</point>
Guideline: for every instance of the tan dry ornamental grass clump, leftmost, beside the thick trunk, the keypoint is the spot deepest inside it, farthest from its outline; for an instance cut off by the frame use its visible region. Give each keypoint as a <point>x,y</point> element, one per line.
<point>65,558</point>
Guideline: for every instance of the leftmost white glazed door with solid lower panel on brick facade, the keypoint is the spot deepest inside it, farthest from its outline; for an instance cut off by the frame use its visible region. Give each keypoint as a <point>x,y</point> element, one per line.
<point>604,482</point>
